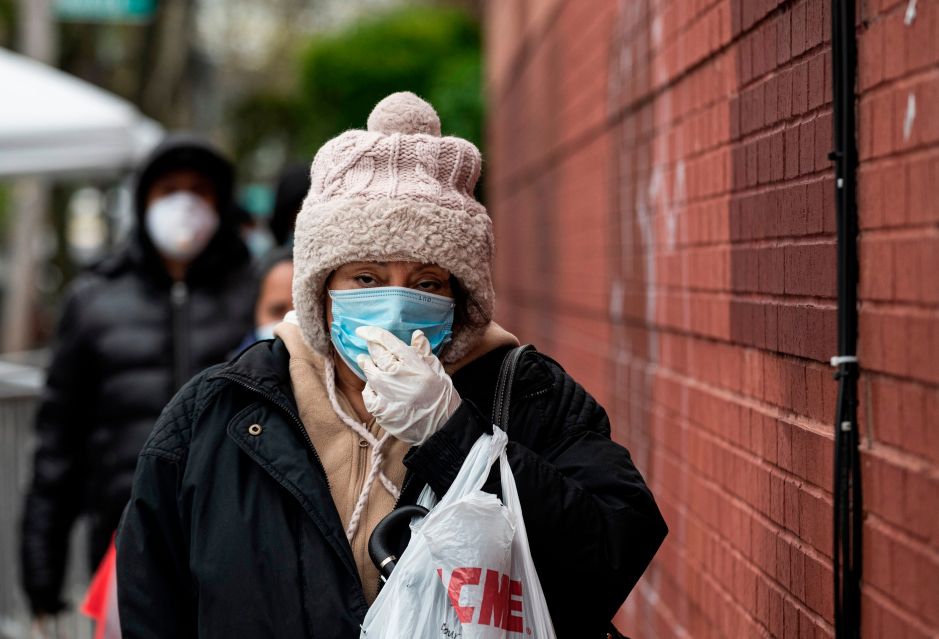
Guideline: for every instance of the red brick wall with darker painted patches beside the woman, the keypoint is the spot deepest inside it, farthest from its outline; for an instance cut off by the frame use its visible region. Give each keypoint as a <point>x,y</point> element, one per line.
<point>664,216</point>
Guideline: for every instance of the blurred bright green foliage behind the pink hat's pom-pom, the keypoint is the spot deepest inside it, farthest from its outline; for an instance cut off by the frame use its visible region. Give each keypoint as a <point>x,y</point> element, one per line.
<point>432,51</point>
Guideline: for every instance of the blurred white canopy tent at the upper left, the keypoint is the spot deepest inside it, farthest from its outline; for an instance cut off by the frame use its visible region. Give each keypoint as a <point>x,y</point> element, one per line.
<point>52,123</point>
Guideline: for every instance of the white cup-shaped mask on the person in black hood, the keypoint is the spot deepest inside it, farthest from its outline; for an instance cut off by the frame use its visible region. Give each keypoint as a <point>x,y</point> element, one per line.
<point>181,224</point>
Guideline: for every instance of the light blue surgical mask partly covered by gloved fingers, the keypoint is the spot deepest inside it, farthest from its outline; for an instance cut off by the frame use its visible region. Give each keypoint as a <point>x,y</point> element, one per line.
<point>400,311</point>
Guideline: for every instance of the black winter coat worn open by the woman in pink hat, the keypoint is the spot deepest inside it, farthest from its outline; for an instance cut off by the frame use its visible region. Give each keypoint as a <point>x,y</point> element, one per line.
<point>230,534</point>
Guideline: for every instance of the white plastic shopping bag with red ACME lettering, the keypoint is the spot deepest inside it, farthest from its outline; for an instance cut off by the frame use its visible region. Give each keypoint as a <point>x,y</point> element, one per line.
<point>467,572</point>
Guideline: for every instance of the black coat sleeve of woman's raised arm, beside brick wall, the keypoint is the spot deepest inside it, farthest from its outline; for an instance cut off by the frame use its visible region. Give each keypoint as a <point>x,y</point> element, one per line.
<point>592,522</point>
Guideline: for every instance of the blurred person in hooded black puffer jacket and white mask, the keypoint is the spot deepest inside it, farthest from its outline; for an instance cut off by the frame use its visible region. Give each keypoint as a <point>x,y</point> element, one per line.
<point>133,330</point>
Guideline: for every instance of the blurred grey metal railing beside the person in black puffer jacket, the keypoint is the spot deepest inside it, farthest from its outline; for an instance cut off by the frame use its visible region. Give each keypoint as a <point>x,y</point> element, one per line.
<point>21,379</point>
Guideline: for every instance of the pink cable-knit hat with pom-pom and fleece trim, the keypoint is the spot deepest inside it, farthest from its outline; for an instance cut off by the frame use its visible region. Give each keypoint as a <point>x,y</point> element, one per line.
<point>396,192</point>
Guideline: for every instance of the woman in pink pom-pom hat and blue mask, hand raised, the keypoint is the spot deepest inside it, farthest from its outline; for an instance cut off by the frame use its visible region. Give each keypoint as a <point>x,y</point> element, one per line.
<point>257,493</point>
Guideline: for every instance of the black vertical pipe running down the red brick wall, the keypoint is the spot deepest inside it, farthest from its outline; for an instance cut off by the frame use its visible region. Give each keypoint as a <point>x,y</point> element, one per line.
<point>848,515</point>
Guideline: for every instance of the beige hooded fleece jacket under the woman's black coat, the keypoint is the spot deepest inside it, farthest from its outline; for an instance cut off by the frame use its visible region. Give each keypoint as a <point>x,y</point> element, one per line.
<point>345,455</point>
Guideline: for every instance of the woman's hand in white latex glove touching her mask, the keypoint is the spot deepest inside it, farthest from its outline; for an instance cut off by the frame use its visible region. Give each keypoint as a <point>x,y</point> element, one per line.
<point>408,392</point>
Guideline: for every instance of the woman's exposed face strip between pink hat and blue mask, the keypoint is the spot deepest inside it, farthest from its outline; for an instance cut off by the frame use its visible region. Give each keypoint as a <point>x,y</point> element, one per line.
<point>428,278</point>
